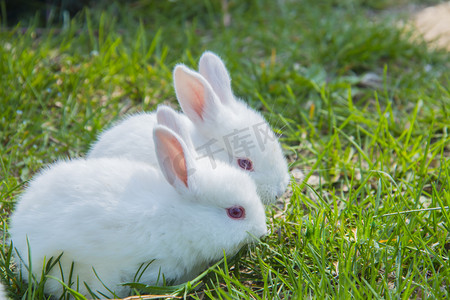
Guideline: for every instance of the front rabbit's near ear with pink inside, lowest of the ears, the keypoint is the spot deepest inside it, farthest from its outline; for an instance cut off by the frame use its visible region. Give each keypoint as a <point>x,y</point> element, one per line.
<point>174,159</point>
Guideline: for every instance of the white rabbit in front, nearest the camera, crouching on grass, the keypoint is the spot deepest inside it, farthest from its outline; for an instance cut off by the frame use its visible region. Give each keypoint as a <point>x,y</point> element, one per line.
<point>114,214</point>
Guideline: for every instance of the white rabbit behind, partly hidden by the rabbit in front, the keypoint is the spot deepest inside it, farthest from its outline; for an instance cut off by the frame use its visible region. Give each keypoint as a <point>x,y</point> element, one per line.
<point>221,127</point>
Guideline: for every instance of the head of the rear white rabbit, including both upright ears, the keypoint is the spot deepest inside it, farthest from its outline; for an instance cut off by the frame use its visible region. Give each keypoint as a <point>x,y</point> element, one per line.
<point>233,131</point>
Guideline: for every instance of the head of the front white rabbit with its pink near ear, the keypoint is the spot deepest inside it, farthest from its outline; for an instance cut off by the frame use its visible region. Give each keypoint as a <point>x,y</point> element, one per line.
<point>225,211</point>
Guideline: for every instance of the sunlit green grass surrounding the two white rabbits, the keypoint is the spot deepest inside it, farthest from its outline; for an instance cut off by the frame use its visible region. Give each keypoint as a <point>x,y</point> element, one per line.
<point>368,220</point>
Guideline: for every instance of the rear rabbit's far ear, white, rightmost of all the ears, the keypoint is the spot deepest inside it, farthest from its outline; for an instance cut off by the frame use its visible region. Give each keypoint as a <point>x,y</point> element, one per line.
<point>213,69</point>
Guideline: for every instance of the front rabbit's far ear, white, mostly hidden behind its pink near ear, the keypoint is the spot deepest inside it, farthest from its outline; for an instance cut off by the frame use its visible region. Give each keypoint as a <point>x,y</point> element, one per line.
<point>173,120</point>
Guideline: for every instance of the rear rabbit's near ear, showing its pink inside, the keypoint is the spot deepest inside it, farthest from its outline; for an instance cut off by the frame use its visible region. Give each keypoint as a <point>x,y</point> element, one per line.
<point>196,97</point>
